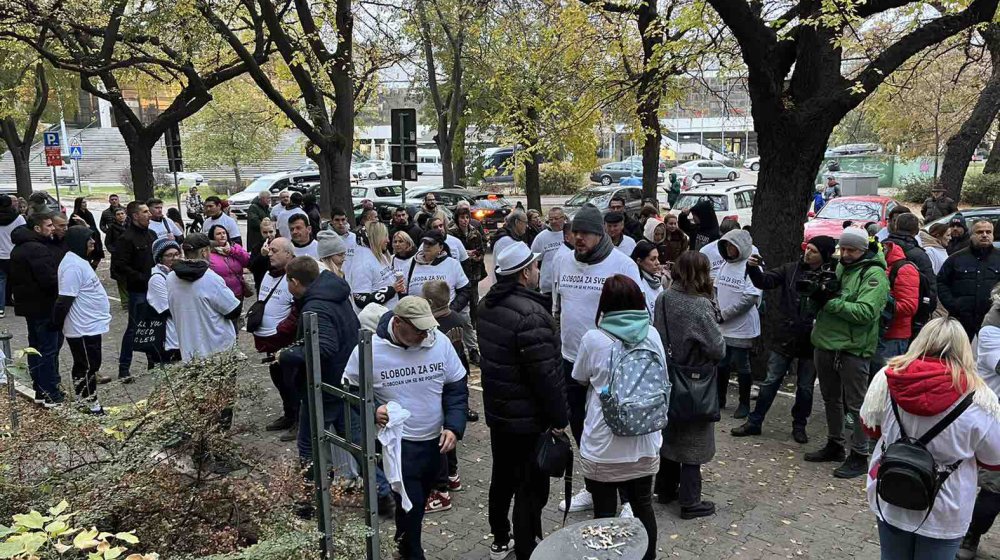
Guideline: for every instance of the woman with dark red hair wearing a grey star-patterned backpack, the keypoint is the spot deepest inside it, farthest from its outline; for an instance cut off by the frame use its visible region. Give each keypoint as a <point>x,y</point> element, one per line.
<point>612,463</point>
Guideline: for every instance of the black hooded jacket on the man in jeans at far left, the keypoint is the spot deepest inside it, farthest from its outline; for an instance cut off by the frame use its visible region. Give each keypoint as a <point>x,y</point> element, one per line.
<point>34,272</point>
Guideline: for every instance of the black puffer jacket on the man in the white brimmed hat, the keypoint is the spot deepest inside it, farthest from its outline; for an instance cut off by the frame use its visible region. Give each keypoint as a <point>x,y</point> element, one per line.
<point>523,387</point>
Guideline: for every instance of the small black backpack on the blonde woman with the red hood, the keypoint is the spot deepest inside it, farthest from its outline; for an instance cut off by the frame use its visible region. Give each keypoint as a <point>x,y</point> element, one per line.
<point>908,476</point>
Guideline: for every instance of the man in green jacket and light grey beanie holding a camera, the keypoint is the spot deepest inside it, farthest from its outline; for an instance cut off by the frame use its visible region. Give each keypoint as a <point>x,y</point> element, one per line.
<point>845,335</point>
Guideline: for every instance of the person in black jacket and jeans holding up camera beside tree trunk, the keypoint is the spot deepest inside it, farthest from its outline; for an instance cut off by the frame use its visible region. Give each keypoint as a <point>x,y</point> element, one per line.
<point>795,280</point>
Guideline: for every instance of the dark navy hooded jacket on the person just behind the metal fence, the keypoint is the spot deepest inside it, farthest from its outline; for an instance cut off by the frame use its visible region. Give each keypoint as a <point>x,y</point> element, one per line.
<point>329,297</point>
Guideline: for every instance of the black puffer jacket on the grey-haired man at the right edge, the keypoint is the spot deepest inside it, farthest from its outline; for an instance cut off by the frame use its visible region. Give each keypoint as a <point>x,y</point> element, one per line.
<point>964,284</point>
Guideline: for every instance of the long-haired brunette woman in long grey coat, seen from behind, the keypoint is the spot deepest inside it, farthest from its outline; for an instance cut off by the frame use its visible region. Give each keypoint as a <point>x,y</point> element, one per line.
<point>695,340</point>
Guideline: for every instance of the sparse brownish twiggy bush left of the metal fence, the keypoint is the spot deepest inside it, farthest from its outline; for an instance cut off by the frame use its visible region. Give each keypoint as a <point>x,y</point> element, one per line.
<point>153,467</point>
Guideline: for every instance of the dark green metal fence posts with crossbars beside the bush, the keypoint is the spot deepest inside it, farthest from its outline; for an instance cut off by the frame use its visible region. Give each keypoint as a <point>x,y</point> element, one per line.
<point>322,438</point>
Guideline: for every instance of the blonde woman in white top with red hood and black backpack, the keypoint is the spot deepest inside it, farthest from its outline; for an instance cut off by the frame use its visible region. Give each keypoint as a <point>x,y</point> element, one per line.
<point>932,393</point>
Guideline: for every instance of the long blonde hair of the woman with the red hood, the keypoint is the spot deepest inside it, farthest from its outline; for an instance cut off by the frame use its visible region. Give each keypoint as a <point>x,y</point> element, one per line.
<point>944,339</point>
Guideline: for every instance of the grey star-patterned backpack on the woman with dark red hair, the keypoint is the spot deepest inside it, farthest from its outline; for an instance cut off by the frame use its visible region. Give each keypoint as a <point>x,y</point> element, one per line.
<point>637,397</point>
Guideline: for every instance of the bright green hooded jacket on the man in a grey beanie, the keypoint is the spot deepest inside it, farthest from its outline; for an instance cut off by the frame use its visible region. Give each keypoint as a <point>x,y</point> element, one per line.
<point>850,322</point>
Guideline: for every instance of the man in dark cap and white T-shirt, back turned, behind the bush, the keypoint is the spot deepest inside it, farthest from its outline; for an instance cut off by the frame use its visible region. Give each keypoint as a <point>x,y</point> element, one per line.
<point>203,308</point>
